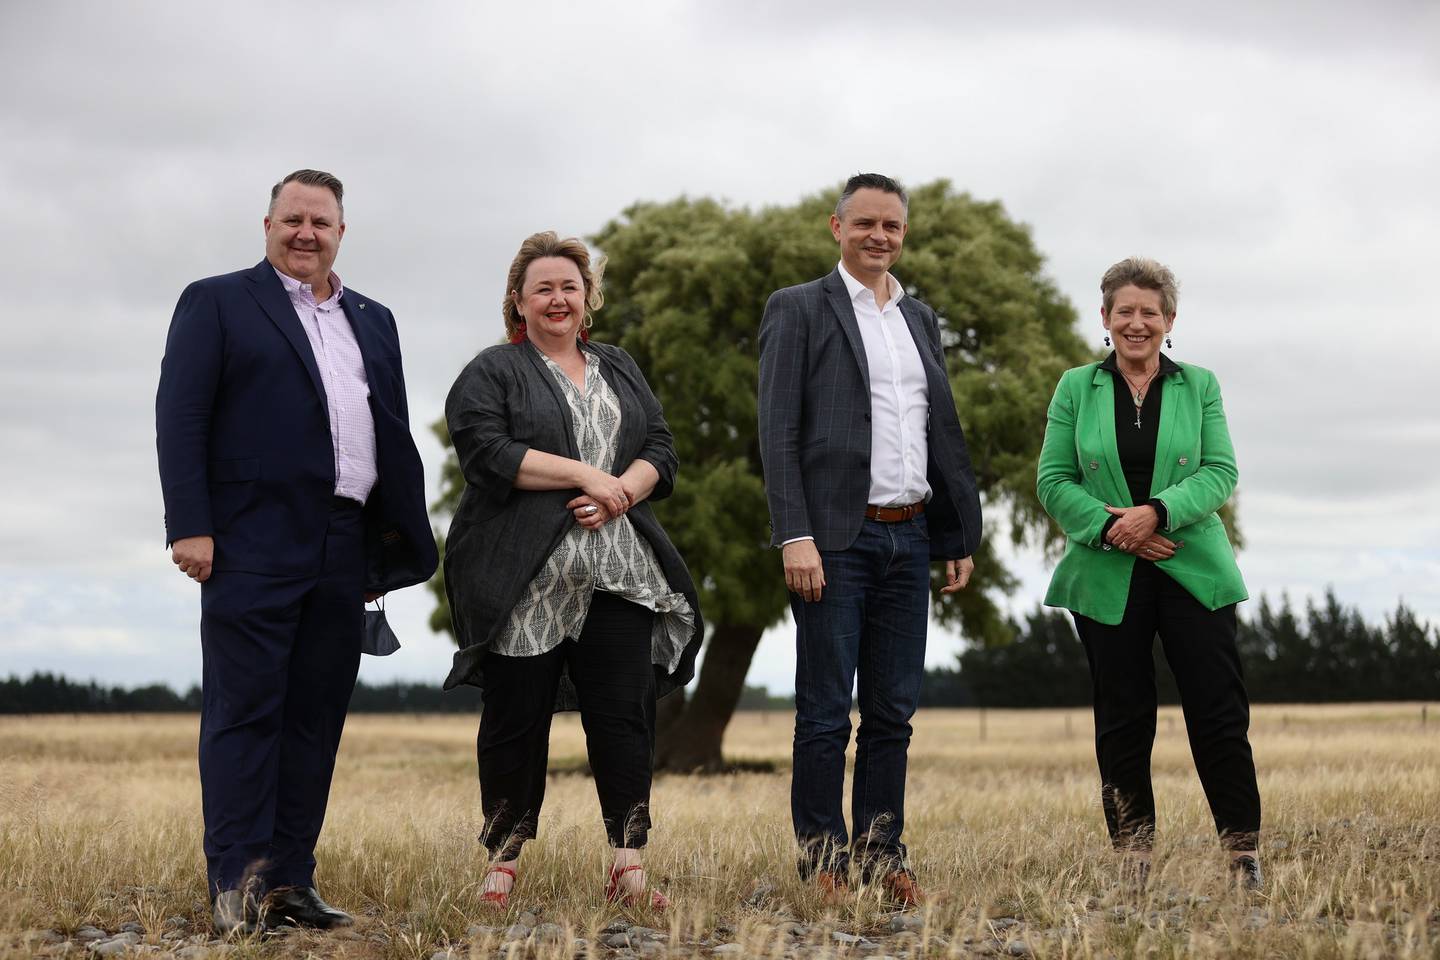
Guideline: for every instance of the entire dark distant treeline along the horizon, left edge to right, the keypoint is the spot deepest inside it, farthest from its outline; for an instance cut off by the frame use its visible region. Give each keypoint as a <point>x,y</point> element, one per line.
<point>1327,656</point>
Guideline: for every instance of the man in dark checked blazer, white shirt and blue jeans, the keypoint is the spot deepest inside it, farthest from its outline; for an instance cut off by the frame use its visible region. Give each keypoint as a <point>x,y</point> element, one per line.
<point>869,481</point>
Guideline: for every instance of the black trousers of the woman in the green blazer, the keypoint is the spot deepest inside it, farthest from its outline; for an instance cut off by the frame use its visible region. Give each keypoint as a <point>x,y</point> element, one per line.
<point>1200,648</point>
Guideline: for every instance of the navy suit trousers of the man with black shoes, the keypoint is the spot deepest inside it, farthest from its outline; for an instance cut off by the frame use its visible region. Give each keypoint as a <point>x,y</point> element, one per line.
<point>282,657</point>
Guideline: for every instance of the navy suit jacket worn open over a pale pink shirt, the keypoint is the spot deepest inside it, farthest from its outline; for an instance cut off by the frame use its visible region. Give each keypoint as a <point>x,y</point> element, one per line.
<point>244,435</point>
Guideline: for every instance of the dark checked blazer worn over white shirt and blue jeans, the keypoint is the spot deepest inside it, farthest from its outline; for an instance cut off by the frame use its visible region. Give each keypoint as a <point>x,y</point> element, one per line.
<point>816,424</point>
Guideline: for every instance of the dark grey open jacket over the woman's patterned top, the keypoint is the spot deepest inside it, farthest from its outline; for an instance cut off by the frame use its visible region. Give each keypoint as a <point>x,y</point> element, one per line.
<point>503,404</point>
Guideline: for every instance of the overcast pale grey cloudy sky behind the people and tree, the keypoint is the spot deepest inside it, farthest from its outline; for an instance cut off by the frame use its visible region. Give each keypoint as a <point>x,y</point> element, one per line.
<point>1281,163</point>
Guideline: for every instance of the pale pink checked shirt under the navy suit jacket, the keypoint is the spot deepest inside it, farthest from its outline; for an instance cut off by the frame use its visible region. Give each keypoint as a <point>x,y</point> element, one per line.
<point>348,392</point>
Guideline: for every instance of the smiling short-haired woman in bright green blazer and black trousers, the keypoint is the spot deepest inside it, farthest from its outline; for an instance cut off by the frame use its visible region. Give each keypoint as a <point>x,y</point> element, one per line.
<point>1137,463</point>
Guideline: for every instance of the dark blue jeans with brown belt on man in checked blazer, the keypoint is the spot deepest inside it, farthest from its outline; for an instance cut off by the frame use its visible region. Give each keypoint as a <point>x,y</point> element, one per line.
<point>870,621</point>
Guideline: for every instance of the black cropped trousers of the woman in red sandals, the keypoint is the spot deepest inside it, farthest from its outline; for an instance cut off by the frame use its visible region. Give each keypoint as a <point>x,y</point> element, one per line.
<point>613,674</point>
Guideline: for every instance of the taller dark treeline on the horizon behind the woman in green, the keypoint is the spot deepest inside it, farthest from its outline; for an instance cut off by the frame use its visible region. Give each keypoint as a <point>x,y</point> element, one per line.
<point>1330,654</point>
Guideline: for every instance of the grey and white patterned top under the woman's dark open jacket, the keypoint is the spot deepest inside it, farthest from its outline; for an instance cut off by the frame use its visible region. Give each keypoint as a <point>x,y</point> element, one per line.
<point>614,559</point>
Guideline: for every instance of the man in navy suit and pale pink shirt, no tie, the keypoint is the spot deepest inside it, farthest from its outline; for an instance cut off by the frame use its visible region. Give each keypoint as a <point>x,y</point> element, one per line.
<point>293,496</point>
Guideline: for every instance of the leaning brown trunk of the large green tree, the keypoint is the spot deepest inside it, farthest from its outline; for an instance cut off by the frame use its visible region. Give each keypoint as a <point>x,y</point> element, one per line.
<point>692,742</point>
